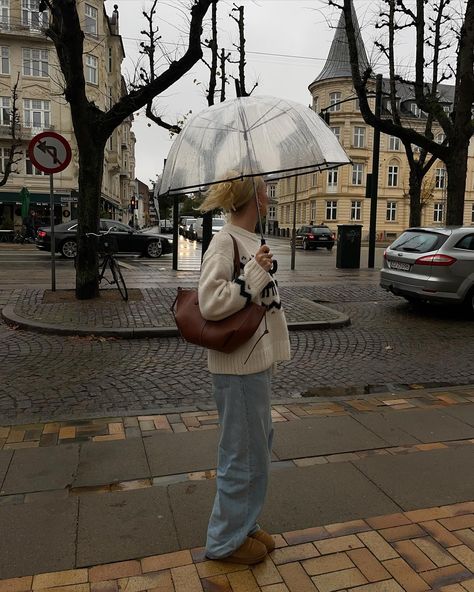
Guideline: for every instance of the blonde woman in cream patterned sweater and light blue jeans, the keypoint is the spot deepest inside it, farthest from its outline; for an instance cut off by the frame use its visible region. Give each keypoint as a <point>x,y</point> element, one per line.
<point>242,379</point>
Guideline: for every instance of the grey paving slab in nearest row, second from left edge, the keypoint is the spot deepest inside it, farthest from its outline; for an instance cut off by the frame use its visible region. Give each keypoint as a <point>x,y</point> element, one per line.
<point>119,526</point>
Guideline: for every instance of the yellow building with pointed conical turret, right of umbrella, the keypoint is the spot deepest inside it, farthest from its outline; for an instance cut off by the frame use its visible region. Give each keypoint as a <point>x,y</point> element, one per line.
<point>339,196</point>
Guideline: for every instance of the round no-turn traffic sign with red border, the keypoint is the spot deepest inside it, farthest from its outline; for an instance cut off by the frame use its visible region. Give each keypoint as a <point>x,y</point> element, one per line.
<point>49,152</point>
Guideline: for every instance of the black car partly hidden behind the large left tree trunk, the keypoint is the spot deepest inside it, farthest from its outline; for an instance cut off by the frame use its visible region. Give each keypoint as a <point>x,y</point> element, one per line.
<point>128,239</point>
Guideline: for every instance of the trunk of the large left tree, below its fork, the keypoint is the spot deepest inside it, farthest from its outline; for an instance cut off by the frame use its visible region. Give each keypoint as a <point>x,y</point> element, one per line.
<point>91,162</point>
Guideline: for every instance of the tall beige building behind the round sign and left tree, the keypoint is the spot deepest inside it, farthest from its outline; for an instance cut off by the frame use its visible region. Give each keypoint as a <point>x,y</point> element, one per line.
<point>27,54</point>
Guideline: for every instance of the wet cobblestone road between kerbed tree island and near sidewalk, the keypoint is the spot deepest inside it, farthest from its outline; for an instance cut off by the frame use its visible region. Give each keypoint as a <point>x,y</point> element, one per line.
<point>388,343</point>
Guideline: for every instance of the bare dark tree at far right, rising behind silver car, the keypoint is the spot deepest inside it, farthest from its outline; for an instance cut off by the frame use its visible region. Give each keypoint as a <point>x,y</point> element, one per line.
<point>458,126</point>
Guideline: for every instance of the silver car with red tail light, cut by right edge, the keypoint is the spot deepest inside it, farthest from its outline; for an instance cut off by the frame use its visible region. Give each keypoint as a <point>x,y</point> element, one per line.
<point>432,264</point>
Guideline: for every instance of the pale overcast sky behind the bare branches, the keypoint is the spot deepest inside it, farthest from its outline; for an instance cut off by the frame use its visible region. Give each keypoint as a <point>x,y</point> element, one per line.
<point>287,42</point>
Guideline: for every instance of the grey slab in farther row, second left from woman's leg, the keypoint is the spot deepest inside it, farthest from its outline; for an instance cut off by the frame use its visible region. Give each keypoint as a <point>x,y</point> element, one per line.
<point>110,462</point>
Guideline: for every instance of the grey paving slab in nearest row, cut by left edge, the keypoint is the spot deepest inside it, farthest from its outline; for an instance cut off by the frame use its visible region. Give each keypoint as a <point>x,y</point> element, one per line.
<point>37,537</point>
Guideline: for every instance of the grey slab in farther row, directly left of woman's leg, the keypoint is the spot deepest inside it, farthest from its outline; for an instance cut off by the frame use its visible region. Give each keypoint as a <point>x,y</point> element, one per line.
<point>172,453</point>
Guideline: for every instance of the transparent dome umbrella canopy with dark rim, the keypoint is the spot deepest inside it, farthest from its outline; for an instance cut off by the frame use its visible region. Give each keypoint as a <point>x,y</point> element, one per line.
<point>251,135</point>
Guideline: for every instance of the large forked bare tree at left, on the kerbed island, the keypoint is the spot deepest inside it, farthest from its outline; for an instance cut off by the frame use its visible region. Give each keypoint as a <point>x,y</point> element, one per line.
<point>92,126</point>
